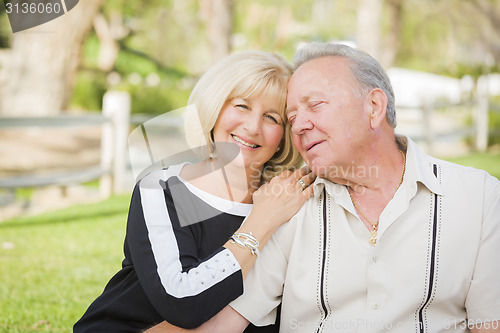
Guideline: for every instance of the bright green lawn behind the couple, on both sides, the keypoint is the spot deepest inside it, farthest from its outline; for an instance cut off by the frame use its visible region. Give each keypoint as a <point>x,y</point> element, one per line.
<point>61,261</point>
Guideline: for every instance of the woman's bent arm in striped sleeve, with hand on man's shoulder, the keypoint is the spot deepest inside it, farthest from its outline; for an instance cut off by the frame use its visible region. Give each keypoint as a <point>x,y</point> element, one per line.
<point>184,288</point>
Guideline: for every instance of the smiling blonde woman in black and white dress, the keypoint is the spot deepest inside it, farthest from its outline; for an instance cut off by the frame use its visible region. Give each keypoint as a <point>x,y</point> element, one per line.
<point>194,231</point>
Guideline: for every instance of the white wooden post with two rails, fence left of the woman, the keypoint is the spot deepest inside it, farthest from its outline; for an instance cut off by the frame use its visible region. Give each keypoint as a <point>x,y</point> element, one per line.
<point>111,171</point>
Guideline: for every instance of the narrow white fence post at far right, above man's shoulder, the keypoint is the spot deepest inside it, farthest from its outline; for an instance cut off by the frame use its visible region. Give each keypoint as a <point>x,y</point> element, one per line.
<point>482,108</point>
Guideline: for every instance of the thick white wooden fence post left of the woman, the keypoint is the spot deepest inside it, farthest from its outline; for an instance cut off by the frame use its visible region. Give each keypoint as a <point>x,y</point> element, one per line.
<point>116,106</point>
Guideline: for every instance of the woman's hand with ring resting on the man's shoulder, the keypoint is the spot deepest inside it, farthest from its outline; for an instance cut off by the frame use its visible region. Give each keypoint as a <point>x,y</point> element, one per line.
<point>281,198</point>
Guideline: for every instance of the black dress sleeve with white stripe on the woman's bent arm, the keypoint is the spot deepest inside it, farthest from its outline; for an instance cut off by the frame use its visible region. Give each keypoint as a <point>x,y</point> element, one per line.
<point>184,289</point>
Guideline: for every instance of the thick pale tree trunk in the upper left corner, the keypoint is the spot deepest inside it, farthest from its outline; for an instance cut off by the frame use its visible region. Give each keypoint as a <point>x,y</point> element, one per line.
<point>44,61</point>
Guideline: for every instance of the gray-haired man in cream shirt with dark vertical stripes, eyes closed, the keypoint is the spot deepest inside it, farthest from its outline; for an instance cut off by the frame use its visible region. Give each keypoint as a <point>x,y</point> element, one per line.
<point>393,239</point>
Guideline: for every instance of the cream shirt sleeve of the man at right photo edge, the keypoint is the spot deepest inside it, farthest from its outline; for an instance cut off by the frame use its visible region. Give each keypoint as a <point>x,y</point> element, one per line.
<point>483,299</point>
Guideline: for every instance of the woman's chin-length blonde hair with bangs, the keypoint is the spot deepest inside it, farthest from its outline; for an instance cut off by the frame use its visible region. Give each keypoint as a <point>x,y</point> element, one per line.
<point>244,74</point>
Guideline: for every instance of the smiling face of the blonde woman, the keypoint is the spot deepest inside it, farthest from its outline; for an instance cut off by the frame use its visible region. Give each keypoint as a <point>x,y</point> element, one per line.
<point>254,125</point>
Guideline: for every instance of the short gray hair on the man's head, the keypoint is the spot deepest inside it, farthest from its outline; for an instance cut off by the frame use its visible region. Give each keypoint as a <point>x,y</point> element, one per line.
<point>367,71</point>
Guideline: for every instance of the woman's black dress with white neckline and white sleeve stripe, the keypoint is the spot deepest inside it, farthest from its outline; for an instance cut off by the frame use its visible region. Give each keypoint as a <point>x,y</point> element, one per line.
<point>175,267</point>
